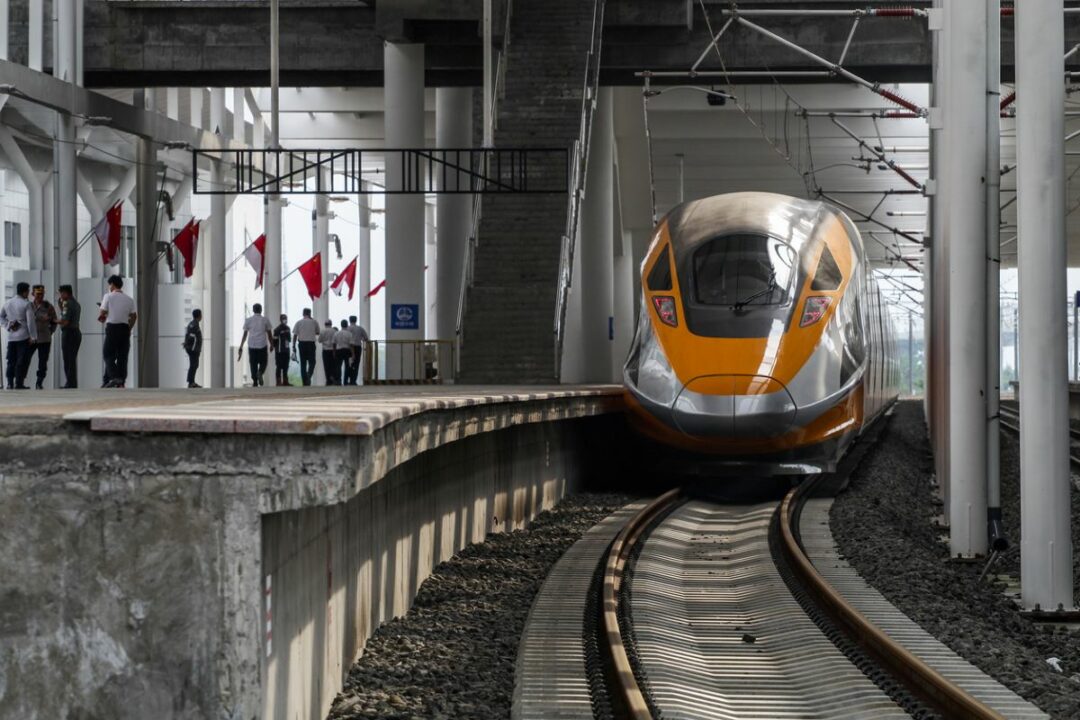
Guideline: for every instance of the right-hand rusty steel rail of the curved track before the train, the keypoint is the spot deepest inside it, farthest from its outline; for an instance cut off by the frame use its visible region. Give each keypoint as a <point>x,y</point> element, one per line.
<point>919,677</point>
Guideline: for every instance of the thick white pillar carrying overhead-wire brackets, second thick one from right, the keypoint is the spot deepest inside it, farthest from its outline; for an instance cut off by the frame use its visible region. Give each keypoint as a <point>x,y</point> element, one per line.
<point>965,218</point>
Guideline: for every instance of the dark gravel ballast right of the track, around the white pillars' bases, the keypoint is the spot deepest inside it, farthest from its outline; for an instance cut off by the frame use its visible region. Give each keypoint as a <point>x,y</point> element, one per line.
<point>884,526</point>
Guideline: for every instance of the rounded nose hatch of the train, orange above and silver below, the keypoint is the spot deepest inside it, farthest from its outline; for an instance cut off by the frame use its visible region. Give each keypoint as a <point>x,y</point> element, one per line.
<point>735,406</point>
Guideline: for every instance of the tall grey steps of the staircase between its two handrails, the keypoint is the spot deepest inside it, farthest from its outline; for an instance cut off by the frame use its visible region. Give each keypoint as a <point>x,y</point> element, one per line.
<point>508,329</point>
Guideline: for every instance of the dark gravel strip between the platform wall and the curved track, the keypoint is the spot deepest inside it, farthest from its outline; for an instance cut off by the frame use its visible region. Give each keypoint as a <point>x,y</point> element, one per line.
<point>453,656</point>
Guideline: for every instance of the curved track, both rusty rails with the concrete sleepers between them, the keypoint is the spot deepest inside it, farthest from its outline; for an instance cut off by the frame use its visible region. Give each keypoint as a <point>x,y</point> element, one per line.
<point>709,576</point>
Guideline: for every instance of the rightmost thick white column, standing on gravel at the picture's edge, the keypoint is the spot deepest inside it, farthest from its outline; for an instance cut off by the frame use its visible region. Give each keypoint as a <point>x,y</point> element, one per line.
<point>1046,542</point>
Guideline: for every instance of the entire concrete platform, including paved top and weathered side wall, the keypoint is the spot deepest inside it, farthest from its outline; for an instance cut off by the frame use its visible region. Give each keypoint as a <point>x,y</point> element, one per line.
<point>227,553</point>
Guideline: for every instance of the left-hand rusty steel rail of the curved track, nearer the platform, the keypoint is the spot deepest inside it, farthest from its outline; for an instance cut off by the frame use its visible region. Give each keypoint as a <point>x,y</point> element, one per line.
<point>626,694</point>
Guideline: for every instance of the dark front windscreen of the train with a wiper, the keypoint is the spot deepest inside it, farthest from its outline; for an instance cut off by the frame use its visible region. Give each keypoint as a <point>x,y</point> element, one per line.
<point>744,270</point>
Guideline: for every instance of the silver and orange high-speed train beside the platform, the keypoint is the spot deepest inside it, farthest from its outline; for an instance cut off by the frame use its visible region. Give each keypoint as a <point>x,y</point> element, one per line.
<point>763,339</point>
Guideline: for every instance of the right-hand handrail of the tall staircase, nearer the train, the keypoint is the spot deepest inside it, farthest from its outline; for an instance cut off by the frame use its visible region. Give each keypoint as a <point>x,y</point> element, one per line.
<point>579,161</point>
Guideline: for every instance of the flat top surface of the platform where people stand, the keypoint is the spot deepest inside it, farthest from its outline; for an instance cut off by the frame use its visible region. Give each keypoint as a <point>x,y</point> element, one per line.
<point>271,411</point>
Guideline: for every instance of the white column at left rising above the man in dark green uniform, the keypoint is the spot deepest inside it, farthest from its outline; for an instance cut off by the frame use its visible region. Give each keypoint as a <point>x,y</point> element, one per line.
<point>64,150</point>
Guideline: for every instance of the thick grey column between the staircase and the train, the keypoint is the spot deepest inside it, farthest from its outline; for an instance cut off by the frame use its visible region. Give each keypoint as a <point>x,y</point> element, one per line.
<point>597,281</point>
